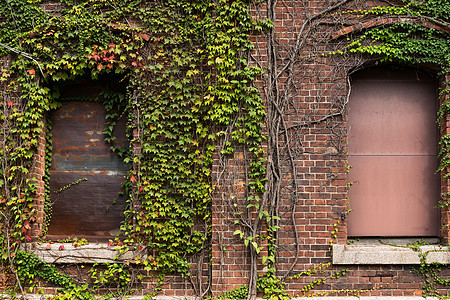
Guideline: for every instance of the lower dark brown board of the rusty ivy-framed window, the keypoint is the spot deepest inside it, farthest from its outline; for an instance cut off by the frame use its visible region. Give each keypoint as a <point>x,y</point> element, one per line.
<point>89,208</point>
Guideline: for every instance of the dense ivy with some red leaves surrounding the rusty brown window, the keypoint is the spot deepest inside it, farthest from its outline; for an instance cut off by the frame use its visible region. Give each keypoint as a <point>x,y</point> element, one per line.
<point>187,72</point>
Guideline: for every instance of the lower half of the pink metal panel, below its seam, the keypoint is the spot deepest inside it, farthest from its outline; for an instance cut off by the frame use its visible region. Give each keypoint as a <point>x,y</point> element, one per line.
<point>391,196</point>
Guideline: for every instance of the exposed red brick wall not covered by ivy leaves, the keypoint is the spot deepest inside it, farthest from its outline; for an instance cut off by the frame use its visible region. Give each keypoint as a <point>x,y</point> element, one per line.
<point>315,204</point>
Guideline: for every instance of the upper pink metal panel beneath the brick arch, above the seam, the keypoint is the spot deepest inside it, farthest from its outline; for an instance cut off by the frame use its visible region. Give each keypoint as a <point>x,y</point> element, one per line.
<point>392,115</point>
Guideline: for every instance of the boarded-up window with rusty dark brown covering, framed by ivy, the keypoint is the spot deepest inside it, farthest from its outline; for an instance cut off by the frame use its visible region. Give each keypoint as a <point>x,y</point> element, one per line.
<point>91,208</point>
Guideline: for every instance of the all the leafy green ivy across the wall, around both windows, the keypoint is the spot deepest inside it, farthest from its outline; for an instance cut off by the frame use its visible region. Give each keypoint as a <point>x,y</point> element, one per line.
<point>189,86</point>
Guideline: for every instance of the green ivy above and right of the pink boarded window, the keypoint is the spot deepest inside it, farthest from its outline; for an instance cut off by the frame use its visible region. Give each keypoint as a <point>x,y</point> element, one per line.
<point>412,43</point>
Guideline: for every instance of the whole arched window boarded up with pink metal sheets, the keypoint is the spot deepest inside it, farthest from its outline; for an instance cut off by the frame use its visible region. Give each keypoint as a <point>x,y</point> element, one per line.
<point>393,154</point>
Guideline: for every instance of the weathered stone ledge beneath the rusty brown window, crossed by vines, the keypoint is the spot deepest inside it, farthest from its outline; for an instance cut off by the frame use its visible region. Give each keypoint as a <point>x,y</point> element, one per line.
<point>92,253</point>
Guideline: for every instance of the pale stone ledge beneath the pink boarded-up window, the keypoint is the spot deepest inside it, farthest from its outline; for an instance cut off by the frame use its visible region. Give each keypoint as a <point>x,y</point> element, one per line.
<point>381,254</point>
